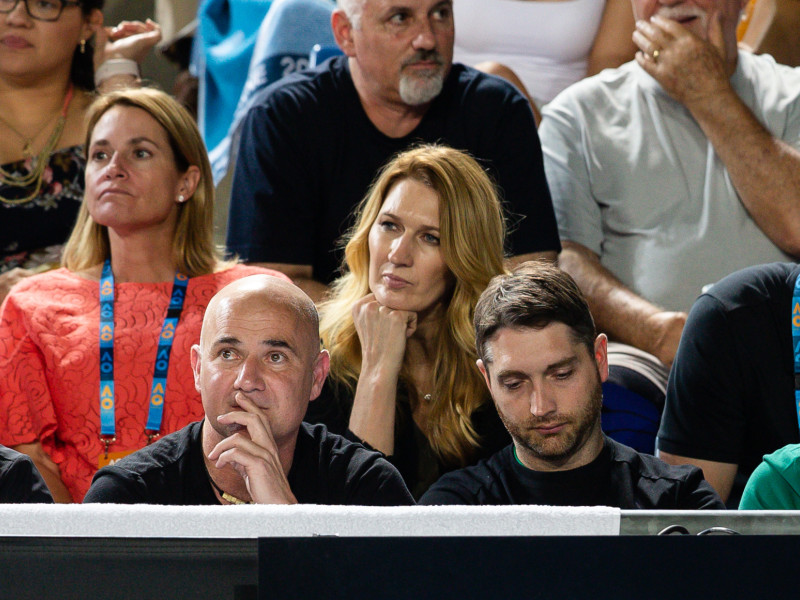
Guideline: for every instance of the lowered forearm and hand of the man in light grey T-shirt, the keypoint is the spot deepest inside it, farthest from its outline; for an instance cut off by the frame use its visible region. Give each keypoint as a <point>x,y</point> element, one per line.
<point>625,316</point>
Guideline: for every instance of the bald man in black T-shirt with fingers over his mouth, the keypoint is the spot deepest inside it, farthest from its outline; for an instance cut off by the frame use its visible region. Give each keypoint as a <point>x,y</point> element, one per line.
<point>257,367</point>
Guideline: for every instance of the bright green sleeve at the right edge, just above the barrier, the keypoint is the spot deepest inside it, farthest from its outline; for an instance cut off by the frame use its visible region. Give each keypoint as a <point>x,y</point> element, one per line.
<point>775,484</point>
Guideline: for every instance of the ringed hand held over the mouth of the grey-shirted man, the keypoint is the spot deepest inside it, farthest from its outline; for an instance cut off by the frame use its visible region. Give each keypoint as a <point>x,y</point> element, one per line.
<point>690,69</point>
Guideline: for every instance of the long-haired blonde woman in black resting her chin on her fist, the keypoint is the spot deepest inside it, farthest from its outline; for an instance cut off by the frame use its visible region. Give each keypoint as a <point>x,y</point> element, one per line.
<point>428,238</point>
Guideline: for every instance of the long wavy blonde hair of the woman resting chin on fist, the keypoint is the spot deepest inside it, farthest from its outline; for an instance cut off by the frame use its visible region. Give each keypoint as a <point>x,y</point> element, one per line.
<point>472,232</point>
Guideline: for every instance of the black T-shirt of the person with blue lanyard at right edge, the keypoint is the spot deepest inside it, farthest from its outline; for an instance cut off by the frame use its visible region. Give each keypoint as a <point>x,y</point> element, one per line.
<point>730,396</point>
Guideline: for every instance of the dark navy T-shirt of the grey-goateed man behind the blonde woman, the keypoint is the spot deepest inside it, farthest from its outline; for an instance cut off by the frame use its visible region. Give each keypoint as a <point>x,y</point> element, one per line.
<point>308,153</point>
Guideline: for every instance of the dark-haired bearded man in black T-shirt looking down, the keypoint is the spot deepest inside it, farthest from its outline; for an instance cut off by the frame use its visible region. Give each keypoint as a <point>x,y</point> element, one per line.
<point>544,364</point>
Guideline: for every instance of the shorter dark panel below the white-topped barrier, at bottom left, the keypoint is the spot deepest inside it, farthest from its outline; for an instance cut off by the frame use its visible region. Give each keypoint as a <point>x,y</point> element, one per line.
<point>120,568</point>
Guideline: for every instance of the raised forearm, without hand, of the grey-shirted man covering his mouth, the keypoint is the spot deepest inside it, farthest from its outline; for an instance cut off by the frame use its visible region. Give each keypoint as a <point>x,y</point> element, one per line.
<point>765,170</point>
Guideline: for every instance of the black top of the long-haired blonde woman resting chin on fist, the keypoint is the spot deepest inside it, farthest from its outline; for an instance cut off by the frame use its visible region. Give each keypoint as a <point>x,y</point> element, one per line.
<point>413,455</point>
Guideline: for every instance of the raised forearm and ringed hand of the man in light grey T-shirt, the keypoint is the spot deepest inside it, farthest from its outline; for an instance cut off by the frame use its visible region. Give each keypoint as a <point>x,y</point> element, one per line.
<point>764,169</point>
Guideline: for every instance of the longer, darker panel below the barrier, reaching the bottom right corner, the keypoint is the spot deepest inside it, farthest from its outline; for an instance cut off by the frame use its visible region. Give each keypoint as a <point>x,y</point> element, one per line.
<point>596,568</point>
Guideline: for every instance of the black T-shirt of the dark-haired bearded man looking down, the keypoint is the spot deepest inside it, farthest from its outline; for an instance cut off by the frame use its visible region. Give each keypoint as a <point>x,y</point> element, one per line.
<point>619,477</point>
